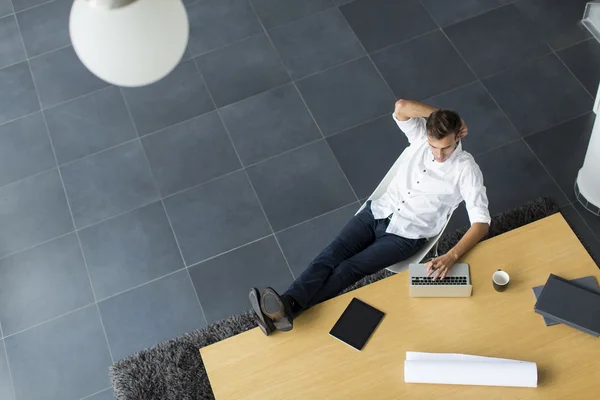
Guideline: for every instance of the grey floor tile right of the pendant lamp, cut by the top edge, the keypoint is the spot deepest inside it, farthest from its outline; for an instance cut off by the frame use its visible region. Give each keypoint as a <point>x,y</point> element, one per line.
<point>216,23</point>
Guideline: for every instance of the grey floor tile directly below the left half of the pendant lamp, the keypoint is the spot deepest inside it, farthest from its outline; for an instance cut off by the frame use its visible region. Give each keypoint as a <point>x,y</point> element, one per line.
<point>89,124</point>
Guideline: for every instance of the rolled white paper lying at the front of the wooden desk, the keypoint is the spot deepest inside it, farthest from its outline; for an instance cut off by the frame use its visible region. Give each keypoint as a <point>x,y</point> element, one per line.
<point>462,369</point>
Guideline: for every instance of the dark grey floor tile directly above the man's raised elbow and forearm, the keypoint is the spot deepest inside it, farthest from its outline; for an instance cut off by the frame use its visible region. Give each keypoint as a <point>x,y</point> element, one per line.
<point>422,67</point>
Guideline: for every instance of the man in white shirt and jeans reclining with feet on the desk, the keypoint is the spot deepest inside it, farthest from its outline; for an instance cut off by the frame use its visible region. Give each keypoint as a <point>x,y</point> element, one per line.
<point>434,177</point>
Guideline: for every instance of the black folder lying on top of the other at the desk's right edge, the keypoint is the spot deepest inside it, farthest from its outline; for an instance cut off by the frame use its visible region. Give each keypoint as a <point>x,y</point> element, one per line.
<point>570,305</point>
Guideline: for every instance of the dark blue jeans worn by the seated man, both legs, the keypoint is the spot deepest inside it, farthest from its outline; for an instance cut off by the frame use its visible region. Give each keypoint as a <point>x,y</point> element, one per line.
<point>361,248</point>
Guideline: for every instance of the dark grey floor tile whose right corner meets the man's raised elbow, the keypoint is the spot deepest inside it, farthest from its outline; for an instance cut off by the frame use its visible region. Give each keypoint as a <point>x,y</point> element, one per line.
<point>346,96</point>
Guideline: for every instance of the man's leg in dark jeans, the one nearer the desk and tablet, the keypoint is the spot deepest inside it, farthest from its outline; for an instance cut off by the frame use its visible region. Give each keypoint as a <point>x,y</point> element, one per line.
<point>387,249</point>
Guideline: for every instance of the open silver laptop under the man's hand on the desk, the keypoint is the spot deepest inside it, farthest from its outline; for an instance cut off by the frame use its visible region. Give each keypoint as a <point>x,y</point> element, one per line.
<point>457,282</point>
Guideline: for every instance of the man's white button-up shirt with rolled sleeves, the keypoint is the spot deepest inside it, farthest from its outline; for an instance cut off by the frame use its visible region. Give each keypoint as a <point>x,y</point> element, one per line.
<point>425,192</point>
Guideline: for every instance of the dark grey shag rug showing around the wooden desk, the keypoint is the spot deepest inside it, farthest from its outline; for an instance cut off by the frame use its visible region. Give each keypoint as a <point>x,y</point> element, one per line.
<point>173,370</point>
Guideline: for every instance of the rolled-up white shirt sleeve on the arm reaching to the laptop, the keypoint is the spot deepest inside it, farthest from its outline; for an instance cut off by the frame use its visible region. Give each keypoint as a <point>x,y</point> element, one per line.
<point>474,193</point>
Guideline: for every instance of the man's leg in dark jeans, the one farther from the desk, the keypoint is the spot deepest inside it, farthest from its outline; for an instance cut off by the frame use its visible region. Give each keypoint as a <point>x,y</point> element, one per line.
<point>357,235</point>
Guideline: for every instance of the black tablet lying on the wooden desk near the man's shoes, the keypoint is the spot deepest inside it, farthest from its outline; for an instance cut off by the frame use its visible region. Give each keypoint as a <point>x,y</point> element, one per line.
<point>357,323</point>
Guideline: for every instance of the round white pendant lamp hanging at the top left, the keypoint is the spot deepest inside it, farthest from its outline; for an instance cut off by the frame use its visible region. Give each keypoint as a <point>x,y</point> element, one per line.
<point>129,42</point>
